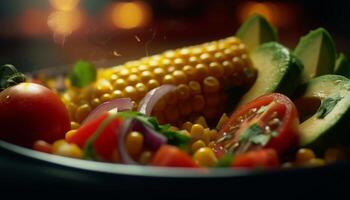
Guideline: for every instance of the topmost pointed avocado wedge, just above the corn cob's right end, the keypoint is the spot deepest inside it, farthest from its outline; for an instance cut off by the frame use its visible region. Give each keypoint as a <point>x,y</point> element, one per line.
<point>255,31</point>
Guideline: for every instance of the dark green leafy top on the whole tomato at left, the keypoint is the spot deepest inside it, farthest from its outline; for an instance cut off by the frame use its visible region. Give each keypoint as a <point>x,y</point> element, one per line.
<point>9,76</point>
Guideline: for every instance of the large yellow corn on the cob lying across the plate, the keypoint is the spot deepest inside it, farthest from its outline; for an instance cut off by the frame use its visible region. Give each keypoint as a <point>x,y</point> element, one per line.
<point>202,73</point>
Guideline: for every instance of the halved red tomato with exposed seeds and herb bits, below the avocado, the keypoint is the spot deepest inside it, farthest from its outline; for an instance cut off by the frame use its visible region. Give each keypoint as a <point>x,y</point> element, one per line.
<point>270,121</point>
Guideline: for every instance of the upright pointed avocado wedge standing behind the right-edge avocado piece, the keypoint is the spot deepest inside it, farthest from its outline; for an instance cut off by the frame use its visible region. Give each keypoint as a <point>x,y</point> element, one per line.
<point>317,52</point>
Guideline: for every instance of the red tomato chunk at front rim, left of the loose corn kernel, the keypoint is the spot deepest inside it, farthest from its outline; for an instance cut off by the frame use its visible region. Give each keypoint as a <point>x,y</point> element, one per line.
<point>171,156</point>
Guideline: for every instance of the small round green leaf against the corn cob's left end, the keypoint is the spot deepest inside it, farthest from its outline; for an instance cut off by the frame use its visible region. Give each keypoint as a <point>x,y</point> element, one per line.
<point>83,74</point>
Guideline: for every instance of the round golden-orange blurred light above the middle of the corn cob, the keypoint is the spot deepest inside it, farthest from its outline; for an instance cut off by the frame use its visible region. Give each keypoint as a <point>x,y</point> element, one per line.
<point>130,15</point>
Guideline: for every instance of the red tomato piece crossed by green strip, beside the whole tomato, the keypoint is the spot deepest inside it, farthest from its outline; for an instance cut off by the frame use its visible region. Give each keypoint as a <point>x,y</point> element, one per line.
<point>105,144</point>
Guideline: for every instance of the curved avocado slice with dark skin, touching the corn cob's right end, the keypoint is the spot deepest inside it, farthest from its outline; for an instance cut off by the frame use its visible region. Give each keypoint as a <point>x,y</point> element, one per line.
<point>278,71</point>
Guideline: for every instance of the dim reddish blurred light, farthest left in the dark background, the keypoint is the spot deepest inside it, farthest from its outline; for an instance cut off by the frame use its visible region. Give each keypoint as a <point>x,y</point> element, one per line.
<point>32,22</point>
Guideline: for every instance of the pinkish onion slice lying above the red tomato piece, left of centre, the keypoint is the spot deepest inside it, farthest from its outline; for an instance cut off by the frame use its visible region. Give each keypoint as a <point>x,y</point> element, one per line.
<point>120,104</point>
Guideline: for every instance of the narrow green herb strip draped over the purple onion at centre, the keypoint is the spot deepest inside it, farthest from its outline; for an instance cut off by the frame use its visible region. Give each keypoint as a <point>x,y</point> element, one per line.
<point>174,137</point>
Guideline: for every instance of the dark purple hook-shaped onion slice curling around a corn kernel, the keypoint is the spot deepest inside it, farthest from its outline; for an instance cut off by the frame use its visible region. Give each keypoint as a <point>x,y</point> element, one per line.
<point>152,139</point>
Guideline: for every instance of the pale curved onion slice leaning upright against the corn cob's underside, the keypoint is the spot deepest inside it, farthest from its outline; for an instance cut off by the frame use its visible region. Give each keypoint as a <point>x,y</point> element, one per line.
<point>152,97</point>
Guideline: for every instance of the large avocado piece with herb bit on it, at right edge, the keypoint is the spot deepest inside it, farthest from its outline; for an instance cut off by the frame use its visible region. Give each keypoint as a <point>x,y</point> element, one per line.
<point>328,125</point>
